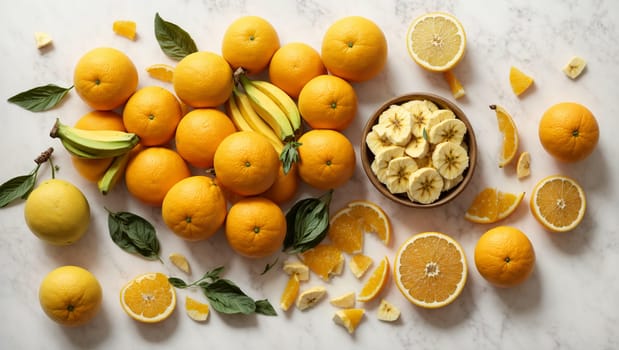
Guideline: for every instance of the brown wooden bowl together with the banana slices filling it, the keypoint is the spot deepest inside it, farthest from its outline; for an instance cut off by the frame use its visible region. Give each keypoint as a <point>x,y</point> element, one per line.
<point>419,150</point>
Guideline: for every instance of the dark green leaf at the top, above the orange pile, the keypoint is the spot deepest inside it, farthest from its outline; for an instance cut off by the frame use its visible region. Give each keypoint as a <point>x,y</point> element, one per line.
<point>173,40</point>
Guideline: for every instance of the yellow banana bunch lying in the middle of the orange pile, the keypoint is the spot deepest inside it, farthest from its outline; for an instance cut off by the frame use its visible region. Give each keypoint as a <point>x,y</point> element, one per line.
<point>264,108</point>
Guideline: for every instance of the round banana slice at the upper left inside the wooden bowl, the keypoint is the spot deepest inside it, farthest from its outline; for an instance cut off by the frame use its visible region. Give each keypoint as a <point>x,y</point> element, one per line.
<point>395,125</point>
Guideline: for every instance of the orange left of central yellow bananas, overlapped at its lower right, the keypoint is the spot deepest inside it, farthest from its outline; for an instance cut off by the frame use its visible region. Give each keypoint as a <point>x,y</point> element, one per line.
<point>199,133</point>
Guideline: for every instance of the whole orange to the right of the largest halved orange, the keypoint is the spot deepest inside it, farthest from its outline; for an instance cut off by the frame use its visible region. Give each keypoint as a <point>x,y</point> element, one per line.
<point>504,256</point>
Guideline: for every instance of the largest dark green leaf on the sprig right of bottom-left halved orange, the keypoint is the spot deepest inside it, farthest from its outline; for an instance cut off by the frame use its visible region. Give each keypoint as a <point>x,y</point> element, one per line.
<point>225,297</point>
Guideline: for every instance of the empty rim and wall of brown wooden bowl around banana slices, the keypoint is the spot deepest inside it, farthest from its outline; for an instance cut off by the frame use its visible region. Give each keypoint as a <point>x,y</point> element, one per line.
<point>367,156</point>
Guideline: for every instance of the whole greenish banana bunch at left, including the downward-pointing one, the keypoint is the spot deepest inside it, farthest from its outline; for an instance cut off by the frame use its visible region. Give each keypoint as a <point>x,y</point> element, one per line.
<point>98,144</point>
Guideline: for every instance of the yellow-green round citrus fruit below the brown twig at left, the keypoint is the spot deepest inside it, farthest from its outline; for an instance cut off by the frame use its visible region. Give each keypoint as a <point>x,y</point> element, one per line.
<point>57,212</point>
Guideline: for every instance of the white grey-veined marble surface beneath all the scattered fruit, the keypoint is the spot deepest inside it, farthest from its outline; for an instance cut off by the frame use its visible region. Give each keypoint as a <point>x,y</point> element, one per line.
<point>570,301</point>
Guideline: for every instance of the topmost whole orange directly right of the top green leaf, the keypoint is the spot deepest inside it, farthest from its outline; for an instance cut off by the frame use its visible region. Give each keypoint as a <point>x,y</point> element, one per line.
<point>250,42</point>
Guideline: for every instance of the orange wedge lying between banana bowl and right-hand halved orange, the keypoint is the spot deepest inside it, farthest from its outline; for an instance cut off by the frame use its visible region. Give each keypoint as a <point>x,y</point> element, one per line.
<point>491,205</point>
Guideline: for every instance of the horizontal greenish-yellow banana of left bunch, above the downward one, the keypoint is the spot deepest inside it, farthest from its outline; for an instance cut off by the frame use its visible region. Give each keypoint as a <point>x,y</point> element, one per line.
<point>94,144</point>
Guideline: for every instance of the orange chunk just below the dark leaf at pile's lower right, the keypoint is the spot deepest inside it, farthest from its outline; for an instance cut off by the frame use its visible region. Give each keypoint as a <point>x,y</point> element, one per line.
<point>325,260</point>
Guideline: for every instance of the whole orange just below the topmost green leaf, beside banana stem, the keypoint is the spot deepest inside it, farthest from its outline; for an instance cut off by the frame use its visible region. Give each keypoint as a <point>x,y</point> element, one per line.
<point>203,79</point>
